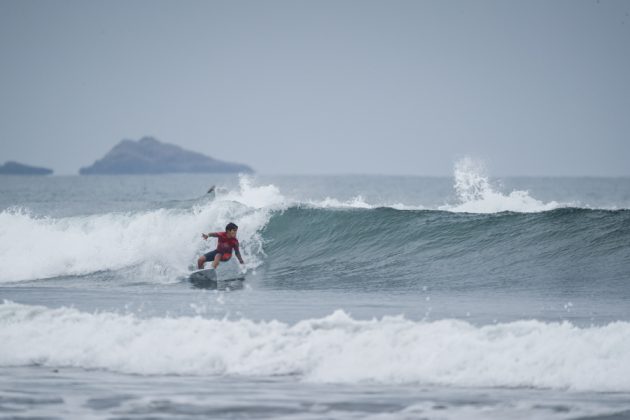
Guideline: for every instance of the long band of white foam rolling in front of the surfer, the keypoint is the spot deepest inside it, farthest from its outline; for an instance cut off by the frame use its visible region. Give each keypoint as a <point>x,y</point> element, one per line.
<point>336,348</point>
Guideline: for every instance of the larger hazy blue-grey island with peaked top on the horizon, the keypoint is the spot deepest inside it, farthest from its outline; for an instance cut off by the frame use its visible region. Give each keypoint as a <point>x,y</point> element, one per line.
<point>150,156</point>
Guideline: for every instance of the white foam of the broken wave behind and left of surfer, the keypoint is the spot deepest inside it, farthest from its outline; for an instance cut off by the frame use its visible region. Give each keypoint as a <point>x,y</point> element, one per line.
<point>160,244</point>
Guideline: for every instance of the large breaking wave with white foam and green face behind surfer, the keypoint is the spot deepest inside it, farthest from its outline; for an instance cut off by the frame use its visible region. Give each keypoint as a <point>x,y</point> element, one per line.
<point>514,236</point>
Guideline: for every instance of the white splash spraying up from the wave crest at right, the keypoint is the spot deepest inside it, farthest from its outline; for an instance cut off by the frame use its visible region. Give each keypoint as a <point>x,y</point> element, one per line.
<point>476,195</point>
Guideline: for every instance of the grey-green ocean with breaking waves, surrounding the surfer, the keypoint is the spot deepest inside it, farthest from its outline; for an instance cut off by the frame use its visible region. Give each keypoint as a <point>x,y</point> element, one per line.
<point>378,297</point>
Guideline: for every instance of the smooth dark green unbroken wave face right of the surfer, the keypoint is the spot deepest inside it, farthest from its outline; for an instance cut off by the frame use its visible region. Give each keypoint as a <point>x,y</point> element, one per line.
<point>385,248</point>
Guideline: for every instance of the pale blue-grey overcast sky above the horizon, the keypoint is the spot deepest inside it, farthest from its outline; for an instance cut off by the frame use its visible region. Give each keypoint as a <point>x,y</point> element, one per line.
<point>322,87</point>
